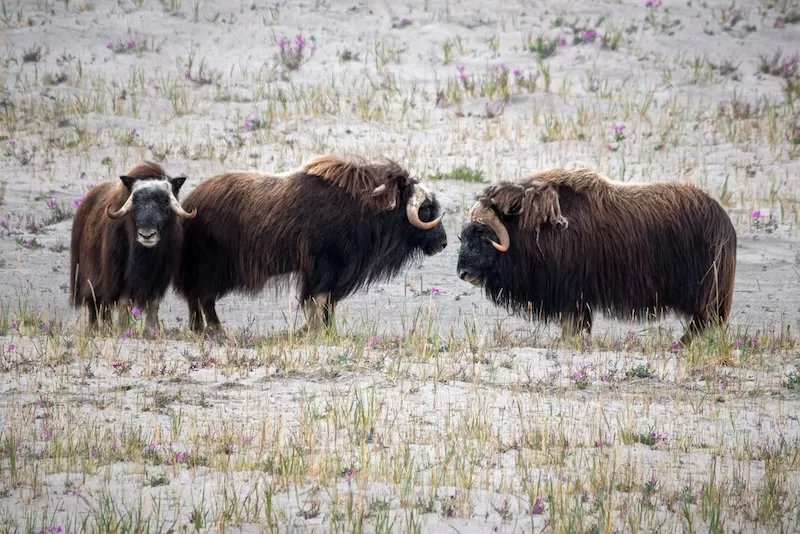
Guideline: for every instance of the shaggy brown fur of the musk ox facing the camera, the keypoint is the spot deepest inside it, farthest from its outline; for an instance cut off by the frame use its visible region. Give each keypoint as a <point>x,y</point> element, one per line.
<point>107,265</point>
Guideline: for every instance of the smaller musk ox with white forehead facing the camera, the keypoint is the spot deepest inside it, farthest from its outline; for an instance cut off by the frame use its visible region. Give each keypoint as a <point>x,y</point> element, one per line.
<point>126,238</point>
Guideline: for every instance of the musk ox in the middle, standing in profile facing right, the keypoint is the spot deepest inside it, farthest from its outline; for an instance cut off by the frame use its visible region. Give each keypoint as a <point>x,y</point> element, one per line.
<point>336,225</point>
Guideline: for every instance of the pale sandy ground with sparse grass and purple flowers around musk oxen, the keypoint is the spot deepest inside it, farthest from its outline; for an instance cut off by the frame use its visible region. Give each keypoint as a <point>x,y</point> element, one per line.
<point>429,408</point>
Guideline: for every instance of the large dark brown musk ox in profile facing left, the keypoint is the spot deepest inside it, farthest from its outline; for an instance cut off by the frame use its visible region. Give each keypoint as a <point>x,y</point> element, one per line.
<point>564,244</point>
